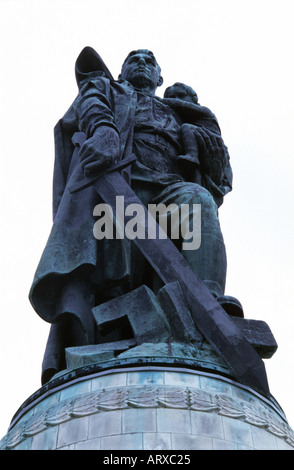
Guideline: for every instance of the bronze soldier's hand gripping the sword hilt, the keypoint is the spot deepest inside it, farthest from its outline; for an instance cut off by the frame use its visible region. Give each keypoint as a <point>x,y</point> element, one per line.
<point>100,151</point>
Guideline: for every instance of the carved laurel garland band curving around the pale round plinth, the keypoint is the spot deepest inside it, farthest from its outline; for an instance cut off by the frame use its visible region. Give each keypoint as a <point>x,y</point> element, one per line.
<point>148,397</point>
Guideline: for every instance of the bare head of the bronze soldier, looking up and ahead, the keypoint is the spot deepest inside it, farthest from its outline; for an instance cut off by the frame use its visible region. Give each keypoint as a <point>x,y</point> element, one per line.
<point>141,69</point>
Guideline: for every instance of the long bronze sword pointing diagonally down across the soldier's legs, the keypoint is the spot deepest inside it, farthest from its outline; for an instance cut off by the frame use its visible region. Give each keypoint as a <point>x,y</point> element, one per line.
<point>170,265</point>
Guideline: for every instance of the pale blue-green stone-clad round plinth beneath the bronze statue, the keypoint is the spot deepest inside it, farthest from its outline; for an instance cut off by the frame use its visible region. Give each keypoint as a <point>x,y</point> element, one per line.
<point>148,407</point>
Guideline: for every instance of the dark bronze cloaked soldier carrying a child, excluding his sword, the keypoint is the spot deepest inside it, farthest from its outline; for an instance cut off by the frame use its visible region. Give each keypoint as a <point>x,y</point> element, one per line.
<point>179,157</point>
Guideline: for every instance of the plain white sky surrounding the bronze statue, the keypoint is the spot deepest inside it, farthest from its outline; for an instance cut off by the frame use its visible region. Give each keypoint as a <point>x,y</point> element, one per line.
<point>238,55</point>
